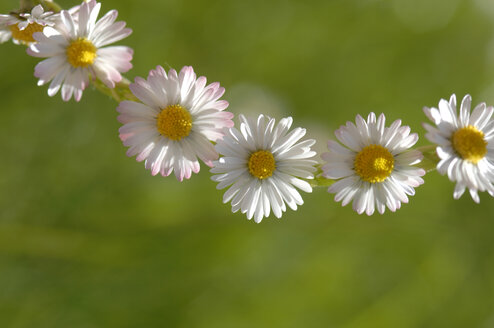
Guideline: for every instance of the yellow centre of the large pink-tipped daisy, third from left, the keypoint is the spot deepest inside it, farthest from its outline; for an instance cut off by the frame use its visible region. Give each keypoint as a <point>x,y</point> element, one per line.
<point>174,122</point>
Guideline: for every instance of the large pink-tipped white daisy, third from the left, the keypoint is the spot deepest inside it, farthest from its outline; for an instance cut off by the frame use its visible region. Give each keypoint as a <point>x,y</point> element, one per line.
<point>174,125</point>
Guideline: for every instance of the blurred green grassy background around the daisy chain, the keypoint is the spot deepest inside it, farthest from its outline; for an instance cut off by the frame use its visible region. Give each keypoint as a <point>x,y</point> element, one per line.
<point>88,238</point>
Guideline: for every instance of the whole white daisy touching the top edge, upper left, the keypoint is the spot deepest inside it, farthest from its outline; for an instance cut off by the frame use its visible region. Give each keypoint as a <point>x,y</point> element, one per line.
<point>75,51</point>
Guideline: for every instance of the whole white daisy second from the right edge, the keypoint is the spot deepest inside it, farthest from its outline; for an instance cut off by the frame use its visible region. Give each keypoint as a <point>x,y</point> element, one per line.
<point>375,166</point>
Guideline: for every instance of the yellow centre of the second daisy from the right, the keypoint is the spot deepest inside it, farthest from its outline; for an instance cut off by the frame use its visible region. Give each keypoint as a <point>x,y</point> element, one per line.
<point>374,163</point>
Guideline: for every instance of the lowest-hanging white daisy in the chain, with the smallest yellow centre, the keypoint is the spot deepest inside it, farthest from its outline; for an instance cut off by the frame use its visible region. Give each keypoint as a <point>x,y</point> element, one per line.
<point>263,163</point>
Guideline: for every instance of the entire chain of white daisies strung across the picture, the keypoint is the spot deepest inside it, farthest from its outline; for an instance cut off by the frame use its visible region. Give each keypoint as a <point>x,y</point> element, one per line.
<point>175,120</point>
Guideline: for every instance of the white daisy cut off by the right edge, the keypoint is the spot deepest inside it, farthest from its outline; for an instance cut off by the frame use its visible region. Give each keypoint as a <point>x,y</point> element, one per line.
<point>465,145</point>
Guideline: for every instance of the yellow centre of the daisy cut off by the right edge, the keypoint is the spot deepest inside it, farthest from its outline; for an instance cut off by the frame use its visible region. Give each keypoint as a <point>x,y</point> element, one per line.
<point>469,143</point>
